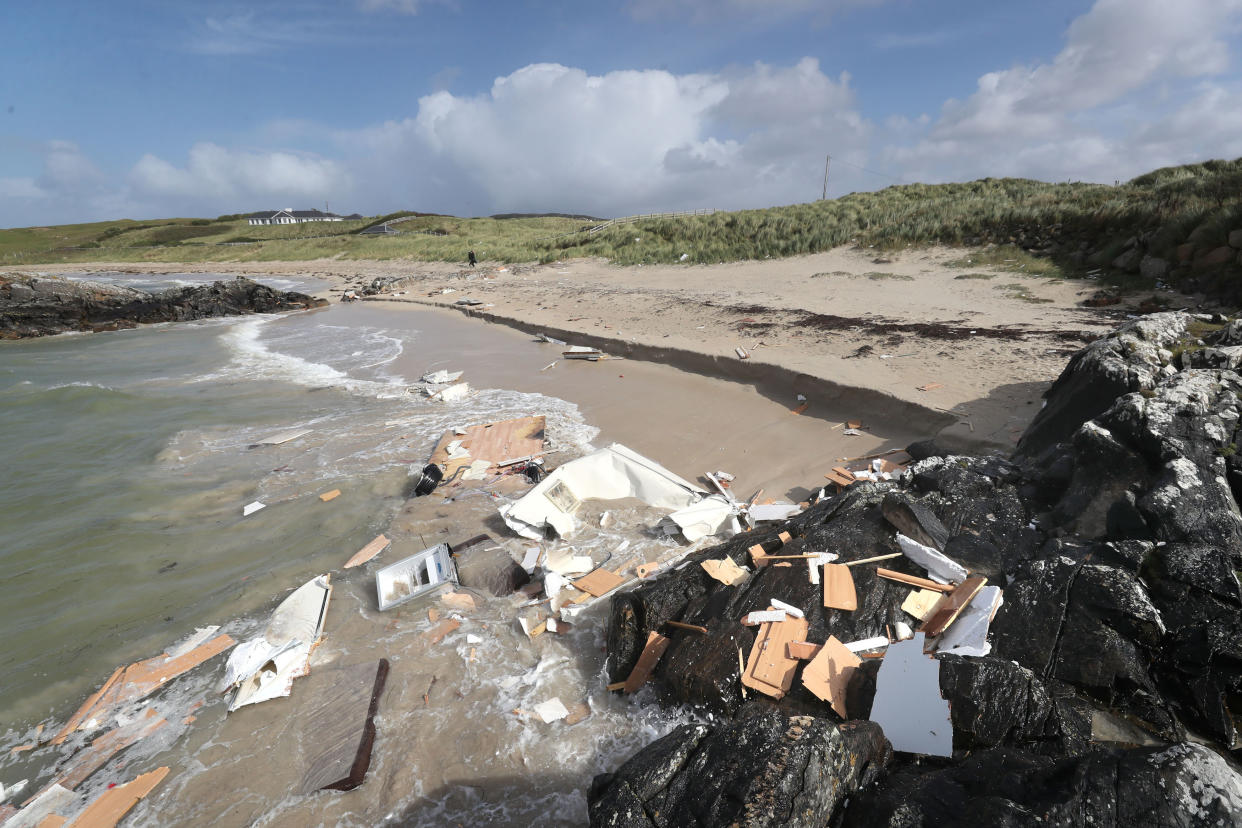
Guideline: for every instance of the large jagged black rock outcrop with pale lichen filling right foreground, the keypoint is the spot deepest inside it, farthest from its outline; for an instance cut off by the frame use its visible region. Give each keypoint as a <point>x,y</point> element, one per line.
<point>1117,536</point>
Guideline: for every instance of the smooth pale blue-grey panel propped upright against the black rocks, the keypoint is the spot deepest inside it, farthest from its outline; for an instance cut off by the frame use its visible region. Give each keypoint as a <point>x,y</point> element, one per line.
<point>909,704</point>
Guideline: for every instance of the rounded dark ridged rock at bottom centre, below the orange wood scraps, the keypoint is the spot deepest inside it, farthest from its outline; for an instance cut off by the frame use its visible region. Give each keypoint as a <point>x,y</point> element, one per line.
<point>763,770</point>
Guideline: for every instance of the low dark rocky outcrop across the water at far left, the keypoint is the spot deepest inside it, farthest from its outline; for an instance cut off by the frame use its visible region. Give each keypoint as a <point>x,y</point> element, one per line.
<point>42,306</point>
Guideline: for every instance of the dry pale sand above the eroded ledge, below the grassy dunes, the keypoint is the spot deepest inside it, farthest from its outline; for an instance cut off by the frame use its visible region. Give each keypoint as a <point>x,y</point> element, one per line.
<point>986,343</point>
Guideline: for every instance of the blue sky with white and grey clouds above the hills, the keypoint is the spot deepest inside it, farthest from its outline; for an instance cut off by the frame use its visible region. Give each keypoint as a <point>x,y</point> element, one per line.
<point>156,109</point>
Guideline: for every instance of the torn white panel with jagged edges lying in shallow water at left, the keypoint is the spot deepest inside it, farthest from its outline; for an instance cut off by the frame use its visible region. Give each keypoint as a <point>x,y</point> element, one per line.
<point>265,668</point>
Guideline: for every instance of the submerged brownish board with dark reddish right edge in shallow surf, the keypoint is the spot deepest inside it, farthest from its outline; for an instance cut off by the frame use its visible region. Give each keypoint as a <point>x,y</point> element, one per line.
<point>343,702</point>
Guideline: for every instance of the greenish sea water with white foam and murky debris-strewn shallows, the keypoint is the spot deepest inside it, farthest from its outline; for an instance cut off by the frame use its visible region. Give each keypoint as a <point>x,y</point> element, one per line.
<point>127,459</point>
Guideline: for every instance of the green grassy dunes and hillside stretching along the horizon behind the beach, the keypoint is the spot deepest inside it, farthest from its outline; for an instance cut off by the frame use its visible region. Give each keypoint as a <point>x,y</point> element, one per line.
<point>1179,219</point>
